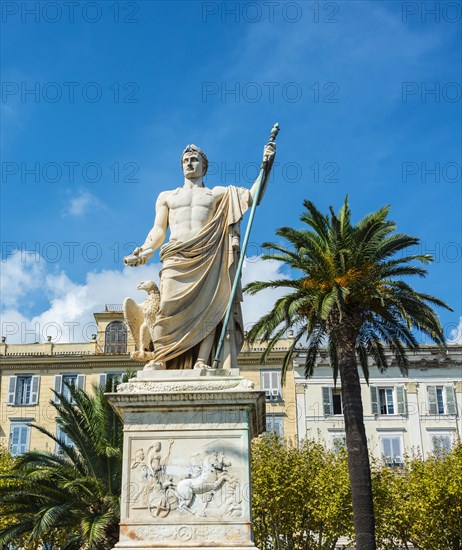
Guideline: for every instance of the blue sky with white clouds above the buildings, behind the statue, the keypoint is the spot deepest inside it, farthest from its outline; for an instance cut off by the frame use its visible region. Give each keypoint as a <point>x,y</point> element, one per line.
<point>102,100</point>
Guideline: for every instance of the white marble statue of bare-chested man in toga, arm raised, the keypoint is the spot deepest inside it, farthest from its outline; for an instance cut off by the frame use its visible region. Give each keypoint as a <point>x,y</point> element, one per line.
<point>198,267</point>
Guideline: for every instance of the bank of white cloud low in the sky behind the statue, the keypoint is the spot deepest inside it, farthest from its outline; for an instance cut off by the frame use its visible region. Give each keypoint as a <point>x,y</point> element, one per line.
<point>68,316</point>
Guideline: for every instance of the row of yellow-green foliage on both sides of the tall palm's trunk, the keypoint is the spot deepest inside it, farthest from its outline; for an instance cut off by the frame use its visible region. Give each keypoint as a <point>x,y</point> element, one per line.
<point>301,498</point>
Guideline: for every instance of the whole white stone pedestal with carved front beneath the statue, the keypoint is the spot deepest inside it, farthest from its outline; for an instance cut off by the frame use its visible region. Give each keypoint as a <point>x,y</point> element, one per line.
<point>186,471</point>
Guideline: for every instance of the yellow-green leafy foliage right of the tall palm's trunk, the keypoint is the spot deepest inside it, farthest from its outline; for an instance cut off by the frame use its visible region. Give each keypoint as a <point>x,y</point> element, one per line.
<point>422,503</point>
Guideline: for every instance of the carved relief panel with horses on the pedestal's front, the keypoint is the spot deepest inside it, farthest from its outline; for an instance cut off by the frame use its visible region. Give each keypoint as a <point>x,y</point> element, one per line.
<point>171,479</point>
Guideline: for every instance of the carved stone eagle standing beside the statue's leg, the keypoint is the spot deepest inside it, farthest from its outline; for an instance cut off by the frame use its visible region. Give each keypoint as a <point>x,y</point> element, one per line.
<point>141,319</point>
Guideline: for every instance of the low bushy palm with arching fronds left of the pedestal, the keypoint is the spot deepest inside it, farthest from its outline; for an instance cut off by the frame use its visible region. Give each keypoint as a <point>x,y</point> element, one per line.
<point>71,497</point>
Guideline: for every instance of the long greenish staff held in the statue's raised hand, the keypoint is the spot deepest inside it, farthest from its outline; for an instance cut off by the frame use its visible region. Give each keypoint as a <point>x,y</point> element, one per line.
<point>263,176</point>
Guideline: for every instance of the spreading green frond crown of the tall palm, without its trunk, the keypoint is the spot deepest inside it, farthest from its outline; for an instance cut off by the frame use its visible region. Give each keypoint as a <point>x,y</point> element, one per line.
<point>350,272</point>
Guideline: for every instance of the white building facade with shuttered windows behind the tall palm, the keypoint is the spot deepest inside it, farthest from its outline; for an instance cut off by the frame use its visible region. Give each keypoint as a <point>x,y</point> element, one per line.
<point>416,412</point>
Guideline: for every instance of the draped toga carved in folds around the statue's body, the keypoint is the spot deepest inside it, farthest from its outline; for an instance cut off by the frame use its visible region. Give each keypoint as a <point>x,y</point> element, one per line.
<point>195,286</point>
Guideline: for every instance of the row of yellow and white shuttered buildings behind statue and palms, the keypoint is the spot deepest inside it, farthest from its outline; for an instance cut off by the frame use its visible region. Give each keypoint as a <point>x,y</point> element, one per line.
<point>421,410</point>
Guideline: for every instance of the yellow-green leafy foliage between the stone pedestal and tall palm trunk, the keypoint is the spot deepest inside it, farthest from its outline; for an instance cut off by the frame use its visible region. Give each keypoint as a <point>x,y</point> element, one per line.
<point>301,495</point>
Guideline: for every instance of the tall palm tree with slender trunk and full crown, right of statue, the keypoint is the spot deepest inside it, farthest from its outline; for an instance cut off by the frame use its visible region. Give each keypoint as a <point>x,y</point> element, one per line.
<point>350,296</point>
